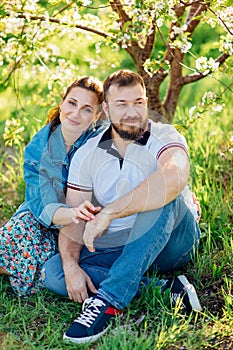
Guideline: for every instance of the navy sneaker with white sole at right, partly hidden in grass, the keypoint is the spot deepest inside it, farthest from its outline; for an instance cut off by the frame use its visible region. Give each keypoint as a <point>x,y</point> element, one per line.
<point>183,292</point>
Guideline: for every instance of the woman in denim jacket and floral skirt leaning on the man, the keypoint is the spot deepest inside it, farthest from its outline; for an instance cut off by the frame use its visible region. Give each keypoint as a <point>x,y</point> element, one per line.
<point>30,236</point>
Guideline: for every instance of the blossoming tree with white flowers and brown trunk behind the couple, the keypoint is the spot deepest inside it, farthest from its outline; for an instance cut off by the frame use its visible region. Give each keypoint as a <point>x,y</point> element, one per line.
<point>158,35</point>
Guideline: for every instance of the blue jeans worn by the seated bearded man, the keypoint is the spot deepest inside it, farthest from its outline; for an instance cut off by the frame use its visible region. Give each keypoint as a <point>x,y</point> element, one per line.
<point>162,239</point>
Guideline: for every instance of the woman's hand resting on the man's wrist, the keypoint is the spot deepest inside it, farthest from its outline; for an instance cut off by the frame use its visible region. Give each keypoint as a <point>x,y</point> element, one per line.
<point>85,211</point>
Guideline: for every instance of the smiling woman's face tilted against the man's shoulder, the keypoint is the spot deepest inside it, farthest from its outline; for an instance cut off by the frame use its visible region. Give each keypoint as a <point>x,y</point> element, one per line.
<point>78,110</point>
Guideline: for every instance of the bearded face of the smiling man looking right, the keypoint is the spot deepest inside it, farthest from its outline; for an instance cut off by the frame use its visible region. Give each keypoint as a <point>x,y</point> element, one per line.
<point>126,108</point>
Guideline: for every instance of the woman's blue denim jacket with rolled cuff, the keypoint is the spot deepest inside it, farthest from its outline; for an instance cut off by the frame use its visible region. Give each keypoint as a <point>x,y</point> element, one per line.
<point>46,166</point>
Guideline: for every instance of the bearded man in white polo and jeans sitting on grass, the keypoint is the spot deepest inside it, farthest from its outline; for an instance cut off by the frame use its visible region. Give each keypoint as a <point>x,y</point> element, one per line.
<point>137,172</point>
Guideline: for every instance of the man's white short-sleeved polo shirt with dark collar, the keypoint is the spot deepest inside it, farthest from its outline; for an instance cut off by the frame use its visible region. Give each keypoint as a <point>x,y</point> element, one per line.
<point>98,167</point>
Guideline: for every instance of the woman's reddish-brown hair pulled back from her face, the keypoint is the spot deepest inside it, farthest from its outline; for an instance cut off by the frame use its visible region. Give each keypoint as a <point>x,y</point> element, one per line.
<point>87,82</point>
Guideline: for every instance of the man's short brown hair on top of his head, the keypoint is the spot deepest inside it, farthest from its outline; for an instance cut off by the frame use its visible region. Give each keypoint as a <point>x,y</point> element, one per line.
<point>122,78</point>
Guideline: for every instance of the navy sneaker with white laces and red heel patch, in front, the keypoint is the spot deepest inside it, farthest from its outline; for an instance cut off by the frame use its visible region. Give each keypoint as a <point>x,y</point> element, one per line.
<point>93,322</point>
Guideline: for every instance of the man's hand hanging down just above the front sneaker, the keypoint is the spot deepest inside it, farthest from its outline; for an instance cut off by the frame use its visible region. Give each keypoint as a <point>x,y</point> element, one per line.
<point>77,283</point>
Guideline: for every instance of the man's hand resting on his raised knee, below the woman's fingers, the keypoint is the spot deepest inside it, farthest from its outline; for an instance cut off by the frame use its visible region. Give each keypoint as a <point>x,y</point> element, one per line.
<point>95,228</point>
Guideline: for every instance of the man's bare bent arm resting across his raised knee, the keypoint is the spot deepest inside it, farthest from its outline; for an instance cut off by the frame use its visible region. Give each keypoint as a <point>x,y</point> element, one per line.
<point>159,189</point>
